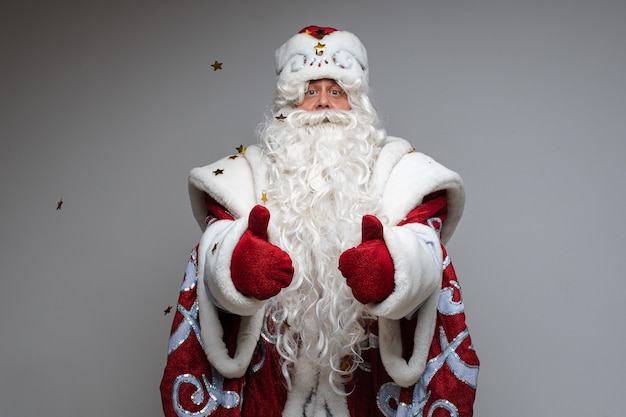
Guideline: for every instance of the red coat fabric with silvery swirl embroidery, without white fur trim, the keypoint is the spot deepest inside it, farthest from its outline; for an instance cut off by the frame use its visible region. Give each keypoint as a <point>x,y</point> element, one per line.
<point>192,386</point>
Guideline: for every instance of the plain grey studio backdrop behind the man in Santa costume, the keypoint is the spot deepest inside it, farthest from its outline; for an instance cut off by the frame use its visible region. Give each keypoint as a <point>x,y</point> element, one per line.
<point>109,104</point>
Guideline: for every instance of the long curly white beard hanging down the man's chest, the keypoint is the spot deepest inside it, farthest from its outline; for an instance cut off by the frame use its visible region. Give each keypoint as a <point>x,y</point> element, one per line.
<point>321,164</point>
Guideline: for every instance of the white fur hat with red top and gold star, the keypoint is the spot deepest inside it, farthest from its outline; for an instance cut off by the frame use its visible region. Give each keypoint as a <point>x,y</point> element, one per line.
<point>313,55</point>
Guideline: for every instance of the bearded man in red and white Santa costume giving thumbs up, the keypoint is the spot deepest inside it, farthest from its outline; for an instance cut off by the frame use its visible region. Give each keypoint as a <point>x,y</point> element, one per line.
<point>321,286</point>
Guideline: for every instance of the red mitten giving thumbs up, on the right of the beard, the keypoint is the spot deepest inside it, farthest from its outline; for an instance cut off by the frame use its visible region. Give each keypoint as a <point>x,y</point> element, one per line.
<point>368,267</point>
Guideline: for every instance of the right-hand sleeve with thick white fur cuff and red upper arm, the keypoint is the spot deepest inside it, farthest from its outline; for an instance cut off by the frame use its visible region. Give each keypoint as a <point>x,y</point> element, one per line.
<point>418,258</point>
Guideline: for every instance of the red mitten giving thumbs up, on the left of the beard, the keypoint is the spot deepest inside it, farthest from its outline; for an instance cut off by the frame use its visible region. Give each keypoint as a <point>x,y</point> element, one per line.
<point>259,268</point>
